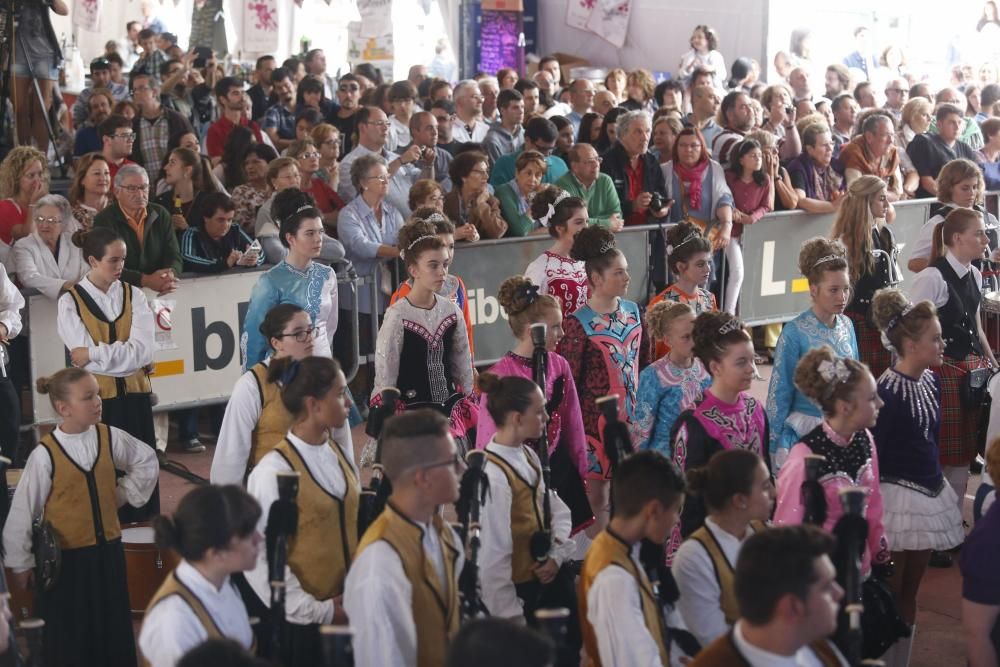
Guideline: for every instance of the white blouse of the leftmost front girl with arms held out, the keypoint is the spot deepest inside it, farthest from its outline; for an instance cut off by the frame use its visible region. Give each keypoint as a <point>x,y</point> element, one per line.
<point>129,454</point>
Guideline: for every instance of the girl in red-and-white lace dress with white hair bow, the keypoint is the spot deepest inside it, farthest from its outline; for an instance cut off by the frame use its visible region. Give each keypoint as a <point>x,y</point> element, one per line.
<point>554,271</point>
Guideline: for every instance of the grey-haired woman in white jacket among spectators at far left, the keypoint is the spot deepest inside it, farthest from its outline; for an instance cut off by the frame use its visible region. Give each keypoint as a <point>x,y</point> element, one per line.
<point>46,259</point>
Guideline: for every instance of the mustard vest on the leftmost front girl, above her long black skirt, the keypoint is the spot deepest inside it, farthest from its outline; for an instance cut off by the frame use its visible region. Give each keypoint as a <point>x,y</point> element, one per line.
<point>75,491</point>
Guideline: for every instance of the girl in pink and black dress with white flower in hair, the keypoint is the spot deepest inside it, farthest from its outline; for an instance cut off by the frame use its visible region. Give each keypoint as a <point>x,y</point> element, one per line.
<point>846,393</point>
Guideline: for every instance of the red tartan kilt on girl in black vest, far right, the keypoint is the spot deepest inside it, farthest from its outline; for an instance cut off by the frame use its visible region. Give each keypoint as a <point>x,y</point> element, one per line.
<point>959,425</point>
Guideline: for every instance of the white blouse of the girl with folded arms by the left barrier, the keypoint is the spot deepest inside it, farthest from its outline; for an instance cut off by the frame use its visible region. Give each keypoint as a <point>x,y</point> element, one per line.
<point>118,359</point>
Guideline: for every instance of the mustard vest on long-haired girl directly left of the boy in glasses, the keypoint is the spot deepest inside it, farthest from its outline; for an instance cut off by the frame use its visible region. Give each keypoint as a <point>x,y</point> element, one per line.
<point>327,538</point>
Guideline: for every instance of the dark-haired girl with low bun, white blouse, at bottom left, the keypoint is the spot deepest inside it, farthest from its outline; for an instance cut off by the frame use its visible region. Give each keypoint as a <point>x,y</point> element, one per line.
<point>215,531</point>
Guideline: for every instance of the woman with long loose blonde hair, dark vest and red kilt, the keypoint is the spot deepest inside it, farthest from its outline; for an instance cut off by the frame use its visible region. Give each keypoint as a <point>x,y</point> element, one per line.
<point>861,225</point>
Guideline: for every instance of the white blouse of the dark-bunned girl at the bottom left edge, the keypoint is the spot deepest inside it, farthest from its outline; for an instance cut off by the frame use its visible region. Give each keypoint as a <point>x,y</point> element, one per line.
<point>171,628</point>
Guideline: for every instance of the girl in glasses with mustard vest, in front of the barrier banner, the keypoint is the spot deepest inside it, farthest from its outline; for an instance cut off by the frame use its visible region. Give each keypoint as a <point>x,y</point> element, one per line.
<point>256,419</point>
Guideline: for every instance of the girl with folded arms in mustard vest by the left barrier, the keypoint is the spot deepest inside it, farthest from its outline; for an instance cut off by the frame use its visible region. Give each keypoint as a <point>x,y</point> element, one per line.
<point>107,326</point>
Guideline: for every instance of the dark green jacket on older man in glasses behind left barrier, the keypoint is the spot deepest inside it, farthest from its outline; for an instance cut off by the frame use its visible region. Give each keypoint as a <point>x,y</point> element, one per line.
<point>159,249</point>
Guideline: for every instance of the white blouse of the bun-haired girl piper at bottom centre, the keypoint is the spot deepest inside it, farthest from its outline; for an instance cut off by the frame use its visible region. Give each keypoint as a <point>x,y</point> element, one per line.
<point>499,594</point>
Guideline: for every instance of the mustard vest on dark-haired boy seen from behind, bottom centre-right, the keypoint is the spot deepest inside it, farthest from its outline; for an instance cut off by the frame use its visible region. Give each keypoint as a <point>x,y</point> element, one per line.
<point>609,550</point>
